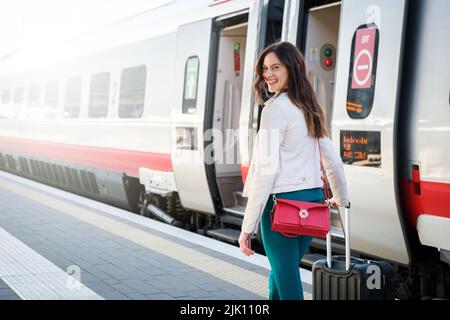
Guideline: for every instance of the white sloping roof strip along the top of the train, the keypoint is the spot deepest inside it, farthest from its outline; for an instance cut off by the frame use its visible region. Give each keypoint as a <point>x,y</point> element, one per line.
<point>155,22</point>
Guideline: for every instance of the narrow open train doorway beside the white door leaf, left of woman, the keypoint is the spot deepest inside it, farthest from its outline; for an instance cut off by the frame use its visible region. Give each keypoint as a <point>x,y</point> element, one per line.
<point>230,39</point>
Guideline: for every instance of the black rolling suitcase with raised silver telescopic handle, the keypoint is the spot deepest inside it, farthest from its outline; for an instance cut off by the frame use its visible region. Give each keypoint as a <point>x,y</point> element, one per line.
<point>346,278</point>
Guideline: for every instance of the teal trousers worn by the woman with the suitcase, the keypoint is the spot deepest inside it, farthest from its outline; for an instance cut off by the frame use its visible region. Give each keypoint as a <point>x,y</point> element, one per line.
<point>283,253</point>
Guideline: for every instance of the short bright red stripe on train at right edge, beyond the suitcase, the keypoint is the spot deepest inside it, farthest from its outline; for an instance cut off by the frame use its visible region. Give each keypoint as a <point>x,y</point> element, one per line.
<point>433,199</point>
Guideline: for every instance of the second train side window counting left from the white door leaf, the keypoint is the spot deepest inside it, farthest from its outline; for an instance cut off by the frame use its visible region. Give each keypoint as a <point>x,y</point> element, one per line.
<point>99,95</point>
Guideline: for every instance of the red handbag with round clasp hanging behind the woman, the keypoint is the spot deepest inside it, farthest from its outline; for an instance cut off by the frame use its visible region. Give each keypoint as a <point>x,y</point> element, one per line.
<point>293,218</point>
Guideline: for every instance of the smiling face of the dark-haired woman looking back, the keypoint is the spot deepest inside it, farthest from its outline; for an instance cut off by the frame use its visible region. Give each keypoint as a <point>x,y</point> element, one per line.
<point>275,73</point>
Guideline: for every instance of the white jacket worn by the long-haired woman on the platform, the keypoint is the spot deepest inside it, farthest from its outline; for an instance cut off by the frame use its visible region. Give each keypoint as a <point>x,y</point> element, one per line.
<point>285,158</point>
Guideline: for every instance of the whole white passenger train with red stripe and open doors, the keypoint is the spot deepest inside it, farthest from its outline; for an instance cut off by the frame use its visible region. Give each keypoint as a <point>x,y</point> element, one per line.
<point>156,114</point>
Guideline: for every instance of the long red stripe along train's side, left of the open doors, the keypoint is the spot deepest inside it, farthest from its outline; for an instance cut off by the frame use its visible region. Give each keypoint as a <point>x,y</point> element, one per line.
<point>117,160</point>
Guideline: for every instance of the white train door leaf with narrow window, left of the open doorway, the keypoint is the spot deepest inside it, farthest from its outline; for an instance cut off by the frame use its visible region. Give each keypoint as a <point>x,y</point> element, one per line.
<point>191,73</point>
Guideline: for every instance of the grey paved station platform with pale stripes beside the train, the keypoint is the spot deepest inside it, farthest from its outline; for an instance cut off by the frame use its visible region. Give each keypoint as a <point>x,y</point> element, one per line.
<point>56,245</point>
